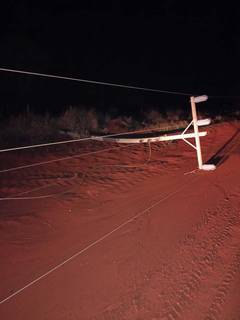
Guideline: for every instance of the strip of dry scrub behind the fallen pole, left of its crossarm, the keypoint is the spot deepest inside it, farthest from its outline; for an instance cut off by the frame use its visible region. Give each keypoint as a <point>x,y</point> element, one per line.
<point>80,121</point>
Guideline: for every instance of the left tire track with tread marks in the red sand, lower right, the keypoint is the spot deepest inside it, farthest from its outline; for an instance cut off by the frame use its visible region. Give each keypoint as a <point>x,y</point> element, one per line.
<point>211,234</point>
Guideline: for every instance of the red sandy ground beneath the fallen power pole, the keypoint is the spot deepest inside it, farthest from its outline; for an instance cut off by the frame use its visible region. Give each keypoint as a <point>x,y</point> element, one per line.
<point>146,240</point>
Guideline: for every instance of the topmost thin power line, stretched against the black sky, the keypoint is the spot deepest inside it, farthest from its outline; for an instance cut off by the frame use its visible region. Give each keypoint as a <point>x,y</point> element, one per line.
<point>110,84</point>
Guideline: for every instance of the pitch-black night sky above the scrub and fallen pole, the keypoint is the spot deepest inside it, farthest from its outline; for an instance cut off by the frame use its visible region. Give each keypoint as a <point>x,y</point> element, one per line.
<point>175,45</point>
